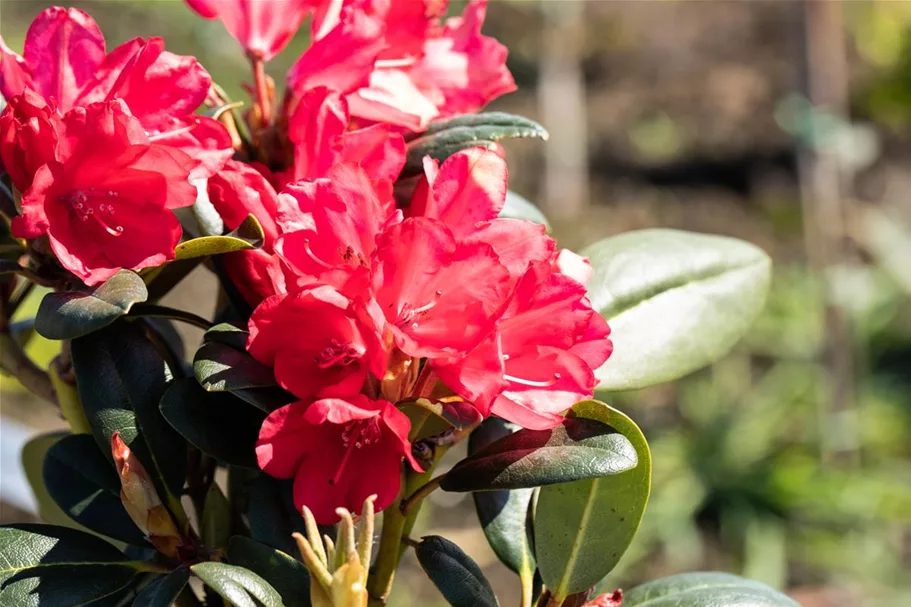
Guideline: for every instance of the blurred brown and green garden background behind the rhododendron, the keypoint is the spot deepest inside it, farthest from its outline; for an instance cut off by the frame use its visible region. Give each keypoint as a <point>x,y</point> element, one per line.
<point>787,124</point>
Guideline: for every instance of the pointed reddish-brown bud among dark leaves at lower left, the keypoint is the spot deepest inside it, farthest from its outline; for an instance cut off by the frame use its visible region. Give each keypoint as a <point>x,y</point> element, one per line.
<point>141,501</point>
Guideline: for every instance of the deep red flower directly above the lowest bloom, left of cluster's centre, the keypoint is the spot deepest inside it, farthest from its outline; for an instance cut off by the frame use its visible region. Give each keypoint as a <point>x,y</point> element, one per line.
<point>317,346</point>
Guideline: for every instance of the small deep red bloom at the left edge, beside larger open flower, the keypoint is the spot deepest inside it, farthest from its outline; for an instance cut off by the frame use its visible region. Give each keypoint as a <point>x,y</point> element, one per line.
<point>29,131</point>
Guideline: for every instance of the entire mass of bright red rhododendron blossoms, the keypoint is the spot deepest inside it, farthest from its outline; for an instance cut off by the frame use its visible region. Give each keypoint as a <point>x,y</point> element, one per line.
<point>370,291</point>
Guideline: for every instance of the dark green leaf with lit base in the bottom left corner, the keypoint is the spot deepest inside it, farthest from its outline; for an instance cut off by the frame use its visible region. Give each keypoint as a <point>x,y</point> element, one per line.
<point>48,566</point>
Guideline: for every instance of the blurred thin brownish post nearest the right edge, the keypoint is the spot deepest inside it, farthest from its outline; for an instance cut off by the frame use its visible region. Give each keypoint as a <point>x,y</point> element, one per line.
<point>825,192</point>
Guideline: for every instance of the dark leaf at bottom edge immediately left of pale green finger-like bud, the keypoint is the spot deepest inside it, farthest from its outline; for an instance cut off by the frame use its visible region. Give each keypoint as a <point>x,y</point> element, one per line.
<point>285,573</point>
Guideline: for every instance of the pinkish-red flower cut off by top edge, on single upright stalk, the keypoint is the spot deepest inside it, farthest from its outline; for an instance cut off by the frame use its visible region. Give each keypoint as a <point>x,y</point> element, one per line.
<point>263,27</point>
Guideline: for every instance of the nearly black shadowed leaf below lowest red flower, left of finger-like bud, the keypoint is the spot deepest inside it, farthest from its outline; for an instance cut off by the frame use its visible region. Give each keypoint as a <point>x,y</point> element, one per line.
<point>273,517</point>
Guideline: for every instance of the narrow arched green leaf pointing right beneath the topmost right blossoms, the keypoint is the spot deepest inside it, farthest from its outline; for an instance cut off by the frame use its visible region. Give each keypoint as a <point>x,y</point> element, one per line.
<point>446,137</point>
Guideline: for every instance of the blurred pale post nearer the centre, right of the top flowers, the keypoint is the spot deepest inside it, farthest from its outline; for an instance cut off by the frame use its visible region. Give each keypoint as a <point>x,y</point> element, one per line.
<point>562,104</point>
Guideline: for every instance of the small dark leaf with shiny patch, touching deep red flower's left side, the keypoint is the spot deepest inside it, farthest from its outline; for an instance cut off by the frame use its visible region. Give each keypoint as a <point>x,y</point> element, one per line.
<point>221,368</point>
